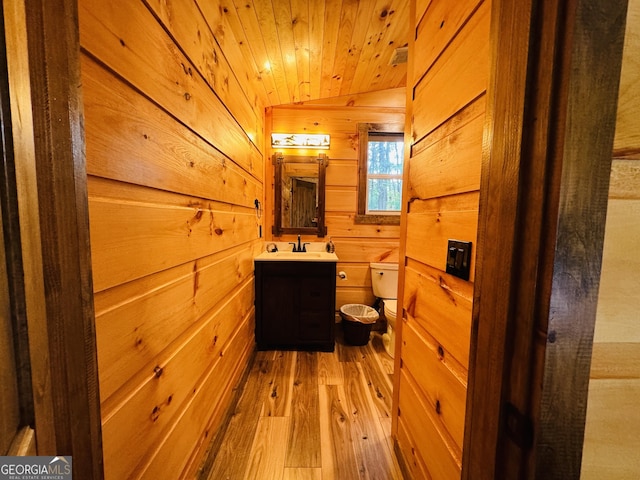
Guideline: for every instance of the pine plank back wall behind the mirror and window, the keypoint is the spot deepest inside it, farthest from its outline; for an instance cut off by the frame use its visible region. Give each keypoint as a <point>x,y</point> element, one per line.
<point>356,245</point>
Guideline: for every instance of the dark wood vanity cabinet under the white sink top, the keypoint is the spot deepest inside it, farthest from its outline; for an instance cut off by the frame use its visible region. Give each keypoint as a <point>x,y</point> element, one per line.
<point>295,305</point>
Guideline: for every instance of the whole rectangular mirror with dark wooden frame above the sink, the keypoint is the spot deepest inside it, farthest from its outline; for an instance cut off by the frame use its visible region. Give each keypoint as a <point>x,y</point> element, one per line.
<point>299,194</point>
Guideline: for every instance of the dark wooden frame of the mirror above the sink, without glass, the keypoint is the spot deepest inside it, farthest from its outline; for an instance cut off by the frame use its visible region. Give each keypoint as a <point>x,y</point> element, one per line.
<point>278,230</point>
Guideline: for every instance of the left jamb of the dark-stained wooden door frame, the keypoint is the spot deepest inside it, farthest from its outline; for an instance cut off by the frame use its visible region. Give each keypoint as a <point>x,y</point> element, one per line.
<point>51,205</point>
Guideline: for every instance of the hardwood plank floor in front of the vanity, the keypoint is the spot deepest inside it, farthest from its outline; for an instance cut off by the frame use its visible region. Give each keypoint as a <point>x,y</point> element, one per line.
<point>311,415</point>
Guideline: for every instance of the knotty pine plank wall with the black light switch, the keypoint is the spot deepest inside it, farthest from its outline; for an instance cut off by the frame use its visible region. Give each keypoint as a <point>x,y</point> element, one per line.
<point>448,75</point>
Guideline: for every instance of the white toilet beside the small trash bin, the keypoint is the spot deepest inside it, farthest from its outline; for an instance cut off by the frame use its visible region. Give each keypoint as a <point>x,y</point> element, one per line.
<point>384,280</point>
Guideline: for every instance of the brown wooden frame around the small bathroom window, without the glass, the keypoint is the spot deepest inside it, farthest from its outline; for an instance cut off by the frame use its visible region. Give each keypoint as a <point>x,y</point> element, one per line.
<point>363,141</point>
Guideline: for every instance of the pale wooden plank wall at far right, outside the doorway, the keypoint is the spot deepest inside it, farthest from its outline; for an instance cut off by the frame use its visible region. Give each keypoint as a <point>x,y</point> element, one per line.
<point>611,440</point>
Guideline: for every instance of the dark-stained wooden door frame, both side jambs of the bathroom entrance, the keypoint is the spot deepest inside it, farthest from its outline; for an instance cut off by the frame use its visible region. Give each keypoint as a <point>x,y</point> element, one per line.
<point>543,195</point>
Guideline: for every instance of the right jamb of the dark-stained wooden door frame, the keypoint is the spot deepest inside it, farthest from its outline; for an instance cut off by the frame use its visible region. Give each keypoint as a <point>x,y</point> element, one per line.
<point>545,175</point>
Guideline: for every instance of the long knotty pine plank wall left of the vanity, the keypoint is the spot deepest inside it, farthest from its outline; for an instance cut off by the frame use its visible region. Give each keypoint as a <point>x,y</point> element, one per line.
<point>174,146</point>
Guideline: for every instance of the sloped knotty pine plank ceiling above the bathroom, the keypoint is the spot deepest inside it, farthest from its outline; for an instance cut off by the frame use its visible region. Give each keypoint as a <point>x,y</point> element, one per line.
<point>301,50</point>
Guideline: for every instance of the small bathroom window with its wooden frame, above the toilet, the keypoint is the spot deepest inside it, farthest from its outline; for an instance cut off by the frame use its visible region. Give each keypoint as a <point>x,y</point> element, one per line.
<point>381,160</point>
